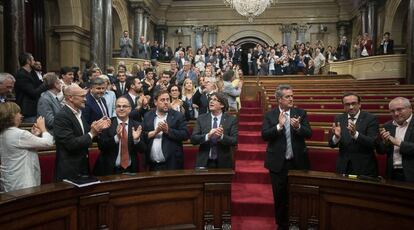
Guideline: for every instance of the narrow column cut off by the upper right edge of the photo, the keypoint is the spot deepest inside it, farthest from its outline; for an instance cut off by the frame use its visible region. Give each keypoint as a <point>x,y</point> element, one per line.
<point>410,42</point>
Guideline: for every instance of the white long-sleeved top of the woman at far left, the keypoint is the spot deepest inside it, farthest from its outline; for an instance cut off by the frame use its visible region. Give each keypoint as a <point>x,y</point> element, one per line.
<point>19,161</point>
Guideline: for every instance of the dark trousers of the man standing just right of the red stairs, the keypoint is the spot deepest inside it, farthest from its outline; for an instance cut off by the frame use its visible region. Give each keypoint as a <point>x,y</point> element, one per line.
<point>280,194</point>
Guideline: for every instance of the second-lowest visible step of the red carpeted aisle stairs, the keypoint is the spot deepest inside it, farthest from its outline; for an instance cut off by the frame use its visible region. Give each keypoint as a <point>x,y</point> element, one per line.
<point>252,200</point>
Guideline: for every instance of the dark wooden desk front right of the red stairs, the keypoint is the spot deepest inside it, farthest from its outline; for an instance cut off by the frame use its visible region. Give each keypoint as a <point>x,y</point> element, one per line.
<point>330,201</point>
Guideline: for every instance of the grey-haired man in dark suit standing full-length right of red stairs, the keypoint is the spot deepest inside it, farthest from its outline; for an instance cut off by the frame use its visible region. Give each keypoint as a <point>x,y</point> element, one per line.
<point>285,129</point>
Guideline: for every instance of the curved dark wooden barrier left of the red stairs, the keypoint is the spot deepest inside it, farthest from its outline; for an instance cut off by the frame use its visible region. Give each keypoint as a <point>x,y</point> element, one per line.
<point>182,199</point>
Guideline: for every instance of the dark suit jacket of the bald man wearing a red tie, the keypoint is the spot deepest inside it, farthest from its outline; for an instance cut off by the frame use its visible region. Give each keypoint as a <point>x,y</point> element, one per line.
<point>105,164</point>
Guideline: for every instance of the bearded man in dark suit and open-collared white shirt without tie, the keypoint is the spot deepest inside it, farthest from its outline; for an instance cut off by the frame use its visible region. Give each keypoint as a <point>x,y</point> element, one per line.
<point>165,130</point>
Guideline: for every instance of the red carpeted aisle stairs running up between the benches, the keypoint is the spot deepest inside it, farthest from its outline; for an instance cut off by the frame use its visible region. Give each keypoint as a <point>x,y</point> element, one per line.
<point>252,200</point>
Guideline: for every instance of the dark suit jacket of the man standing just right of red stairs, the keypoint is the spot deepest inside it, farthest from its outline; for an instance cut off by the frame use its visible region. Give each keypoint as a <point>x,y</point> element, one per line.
<point>276,147</point>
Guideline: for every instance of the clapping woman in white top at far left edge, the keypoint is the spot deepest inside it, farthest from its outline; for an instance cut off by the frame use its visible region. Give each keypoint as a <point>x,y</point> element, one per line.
<point>19,161</point>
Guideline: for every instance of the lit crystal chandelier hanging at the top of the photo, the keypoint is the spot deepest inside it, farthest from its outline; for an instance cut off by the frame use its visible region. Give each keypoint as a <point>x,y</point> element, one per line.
<point>249,8</point>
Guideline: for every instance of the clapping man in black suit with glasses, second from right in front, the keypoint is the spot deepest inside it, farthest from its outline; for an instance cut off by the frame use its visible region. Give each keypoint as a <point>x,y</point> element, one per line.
<point>355,132</point>
